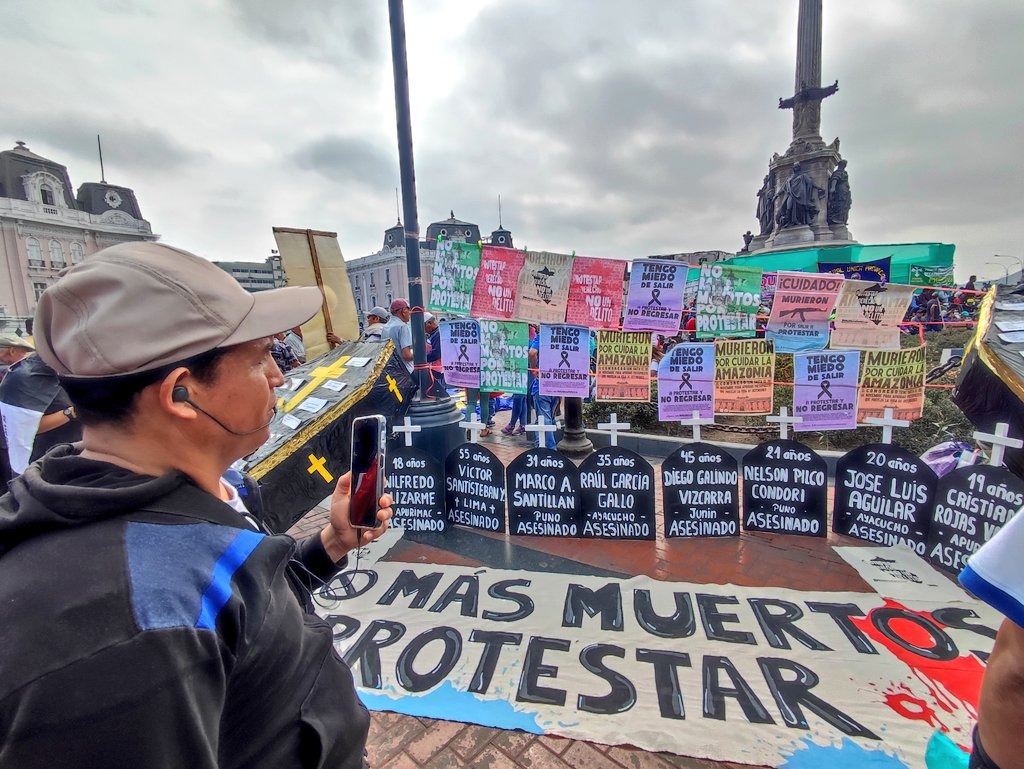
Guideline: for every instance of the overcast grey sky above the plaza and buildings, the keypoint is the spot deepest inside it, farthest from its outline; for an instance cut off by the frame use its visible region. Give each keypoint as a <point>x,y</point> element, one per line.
<point>612,130</point>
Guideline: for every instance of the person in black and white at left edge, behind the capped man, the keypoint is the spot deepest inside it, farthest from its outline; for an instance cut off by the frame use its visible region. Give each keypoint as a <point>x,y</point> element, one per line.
<point>35,409</point>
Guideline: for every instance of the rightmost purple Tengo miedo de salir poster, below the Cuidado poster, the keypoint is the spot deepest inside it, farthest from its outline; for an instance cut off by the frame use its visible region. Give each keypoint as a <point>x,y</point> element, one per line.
<point>825,391</point>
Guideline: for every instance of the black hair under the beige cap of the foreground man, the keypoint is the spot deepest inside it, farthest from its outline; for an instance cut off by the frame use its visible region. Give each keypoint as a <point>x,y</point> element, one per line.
<point>112,400</point>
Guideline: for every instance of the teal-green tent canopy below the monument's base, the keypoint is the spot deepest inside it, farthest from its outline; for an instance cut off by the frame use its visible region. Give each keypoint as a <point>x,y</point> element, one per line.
<point>806,261</point>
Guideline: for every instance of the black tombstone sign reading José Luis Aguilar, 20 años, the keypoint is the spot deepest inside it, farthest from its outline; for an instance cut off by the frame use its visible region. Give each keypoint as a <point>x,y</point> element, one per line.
<point>884,494</point>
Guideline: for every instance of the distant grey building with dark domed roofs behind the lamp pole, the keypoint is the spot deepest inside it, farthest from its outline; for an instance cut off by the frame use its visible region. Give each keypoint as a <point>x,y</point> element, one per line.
<point>380,278</point>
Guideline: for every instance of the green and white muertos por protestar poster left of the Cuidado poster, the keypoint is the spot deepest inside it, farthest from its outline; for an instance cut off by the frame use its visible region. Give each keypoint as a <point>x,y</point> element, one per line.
<point>729,301</point>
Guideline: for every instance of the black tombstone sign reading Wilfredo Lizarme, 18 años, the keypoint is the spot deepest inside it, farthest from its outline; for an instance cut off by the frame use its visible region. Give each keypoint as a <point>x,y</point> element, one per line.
<point>417,486</point>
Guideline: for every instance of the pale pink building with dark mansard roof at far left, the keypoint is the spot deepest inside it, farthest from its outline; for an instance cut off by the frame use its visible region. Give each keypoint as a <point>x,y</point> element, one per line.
<point>46,228</point>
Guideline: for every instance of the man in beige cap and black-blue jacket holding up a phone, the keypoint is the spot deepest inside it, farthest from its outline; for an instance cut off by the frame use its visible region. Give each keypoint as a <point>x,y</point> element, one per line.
<point>174,630</point>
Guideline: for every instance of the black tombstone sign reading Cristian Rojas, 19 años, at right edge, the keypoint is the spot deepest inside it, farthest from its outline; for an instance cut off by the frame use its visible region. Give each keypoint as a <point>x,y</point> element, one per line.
<point>971,505</point>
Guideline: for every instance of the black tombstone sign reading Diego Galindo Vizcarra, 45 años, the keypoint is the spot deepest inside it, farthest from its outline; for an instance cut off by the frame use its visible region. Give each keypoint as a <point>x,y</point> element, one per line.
<point>701,489</point>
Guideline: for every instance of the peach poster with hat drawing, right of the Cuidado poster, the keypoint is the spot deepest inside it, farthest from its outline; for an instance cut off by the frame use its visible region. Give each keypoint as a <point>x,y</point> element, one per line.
<point>869,315</point>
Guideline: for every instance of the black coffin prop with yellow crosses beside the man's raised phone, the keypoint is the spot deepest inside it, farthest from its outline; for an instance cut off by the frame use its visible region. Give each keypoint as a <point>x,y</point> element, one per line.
<point>309,451</point>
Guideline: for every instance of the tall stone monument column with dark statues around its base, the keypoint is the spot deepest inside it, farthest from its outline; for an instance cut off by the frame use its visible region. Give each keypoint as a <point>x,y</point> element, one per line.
<point>805,198</point>
